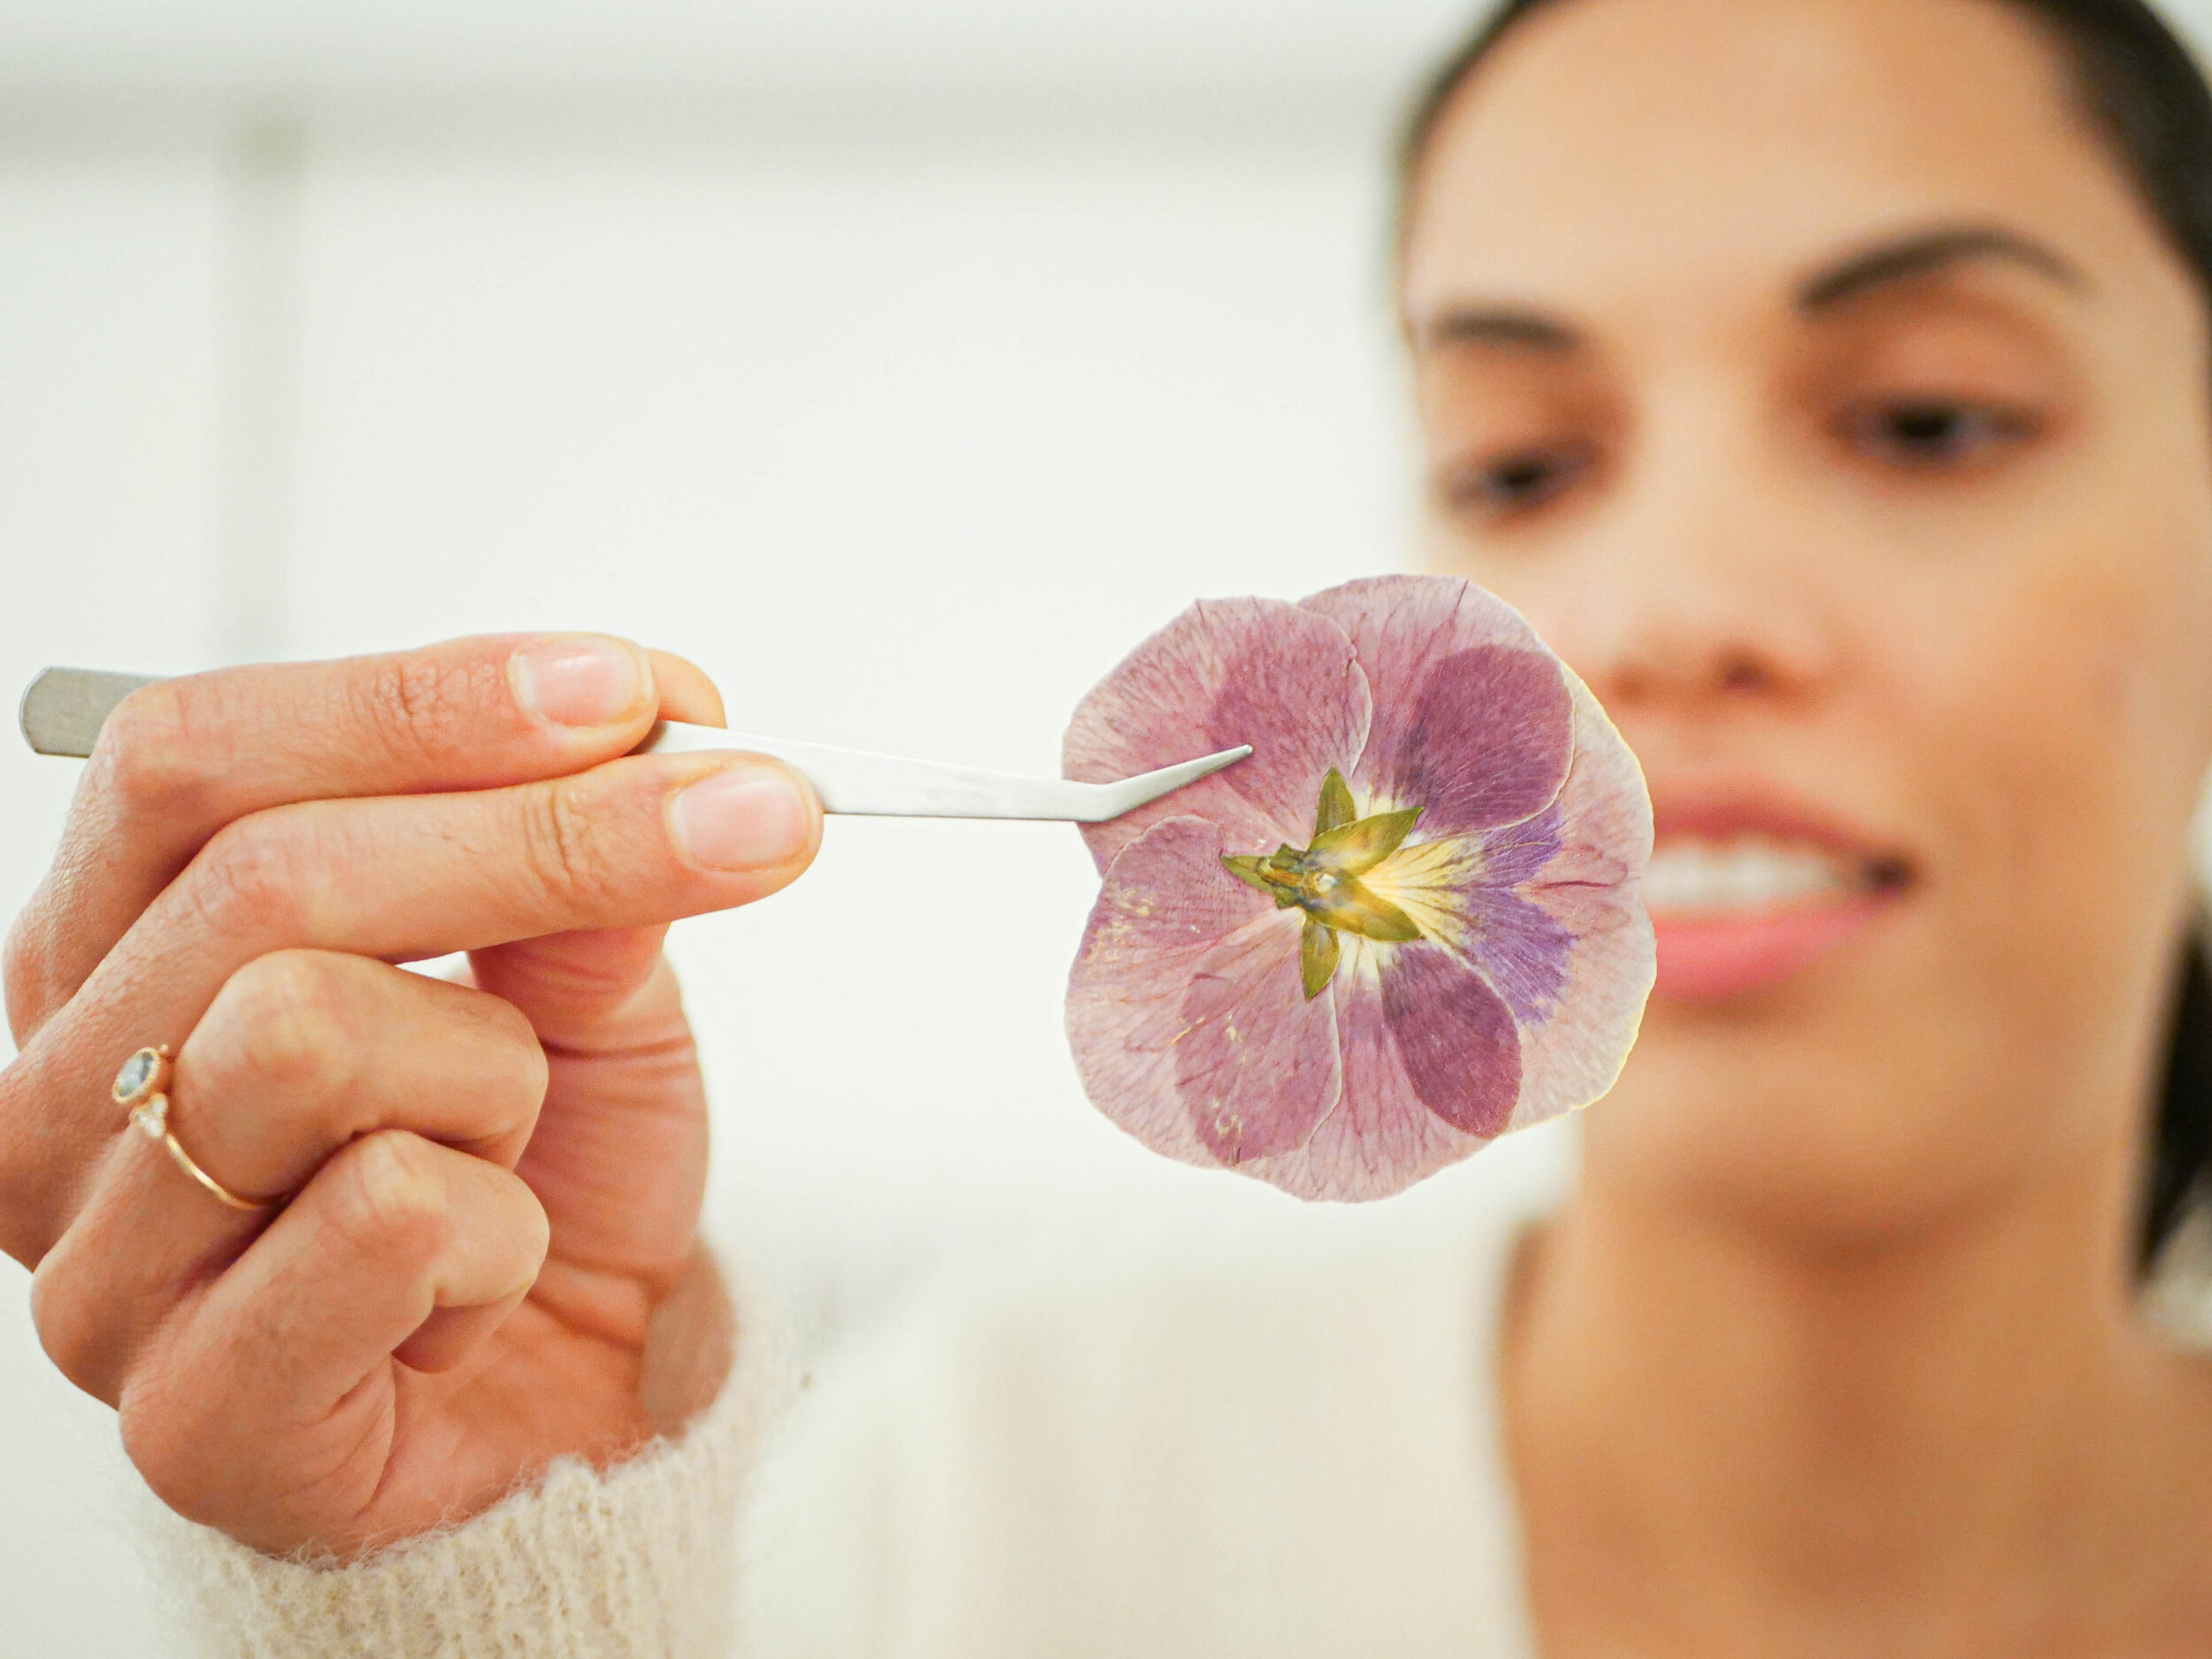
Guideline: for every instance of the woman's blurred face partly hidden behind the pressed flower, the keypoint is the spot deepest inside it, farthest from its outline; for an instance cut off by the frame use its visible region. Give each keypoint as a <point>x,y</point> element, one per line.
<point>1813,379</point>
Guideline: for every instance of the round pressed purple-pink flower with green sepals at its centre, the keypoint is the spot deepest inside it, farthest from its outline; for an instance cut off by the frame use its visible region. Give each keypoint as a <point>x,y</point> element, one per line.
<point>1401,928</point>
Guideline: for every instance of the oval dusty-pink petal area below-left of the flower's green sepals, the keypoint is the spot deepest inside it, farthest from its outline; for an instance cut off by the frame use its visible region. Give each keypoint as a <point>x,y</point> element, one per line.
<point>1258,1063</point>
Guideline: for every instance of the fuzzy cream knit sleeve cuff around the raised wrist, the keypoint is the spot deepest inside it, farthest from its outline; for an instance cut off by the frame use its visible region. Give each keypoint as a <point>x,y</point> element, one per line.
<point>598,1565</point>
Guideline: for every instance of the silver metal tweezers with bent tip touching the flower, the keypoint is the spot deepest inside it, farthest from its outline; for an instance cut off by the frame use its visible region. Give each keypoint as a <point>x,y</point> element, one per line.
<point>65,709</point>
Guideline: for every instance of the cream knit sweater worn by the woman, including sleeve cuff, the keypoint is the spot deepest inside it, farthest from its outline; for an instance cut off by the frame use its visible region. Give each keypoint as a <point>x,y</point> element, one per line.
<point>1280,1448</point>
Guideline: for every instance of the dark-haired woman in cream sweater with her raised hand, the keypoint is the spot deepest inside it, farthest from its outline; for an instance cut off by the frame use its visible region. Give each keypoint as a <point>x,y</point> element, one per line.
<point>1828,382</point>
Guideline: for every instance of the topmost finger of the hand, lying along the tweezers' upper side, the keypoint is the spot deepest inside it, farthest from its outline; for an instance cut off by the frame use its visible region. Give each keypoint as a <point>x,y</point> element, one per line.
<point>182,758</point>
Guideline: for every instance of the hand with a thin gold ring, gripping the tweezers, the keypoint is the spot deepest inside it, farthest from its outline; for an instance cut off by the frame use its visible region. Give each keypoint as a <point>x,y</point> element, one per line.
<point>492,1187</point>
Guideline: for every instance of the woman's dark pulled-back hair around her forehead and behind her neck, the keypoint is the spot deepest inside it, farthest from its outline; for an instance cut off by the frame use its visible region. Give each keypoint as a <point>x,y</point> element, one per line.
<point>2149,105</point>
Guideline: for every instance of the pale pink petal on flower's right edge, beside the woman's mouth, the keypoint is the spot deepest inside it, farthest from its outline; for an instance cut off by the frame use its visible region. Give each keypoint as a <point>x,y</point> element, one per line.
<point>1592,888</point>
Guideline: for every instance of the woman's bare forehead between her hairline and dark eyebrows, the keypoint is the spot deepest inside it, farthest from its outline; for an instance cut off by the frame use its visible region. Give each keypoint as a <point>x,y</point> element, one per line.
<point>1631,152</point>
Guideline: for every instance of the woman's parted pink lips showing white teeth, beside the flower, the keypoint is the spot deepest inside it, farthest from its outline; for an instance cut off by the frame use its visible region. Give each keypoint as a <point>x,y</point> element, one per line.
<point>1749,893</point>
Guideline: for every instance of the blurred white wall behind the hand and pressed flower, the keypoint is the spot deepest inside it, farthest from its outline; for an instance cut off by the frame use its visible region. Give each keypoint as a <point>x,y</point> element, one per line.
<point>899,364</point>
